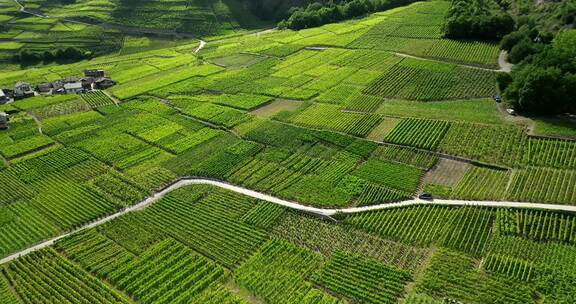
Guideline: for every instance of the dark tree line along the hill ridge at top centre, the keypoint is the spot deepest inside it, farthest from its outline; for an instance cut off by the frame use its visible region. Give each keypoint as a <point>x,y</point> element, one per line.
<point>317,14</point>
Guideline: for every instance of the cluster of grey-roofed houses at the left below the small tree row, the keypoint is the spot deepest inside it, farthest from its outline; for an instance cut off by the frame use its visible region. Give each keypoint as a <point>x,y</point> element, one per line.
<point>92,80</point>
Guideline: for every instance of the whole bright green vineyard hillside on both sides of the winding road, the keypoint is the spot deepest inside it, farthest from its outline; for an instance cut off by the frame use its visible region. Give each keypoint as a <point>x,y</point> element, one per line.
<point>362,112</point>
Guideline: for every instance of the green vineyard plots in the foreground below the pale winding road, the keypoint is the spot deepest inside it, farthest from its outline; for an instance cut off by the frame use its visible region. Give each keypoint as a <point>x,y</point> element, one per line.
<point>197,245</point>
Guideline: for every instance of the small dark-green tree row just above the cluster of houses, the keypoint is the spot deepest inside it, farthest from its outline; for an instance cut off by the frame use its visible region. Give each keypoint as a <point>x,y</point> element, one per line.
<point>60,55</point>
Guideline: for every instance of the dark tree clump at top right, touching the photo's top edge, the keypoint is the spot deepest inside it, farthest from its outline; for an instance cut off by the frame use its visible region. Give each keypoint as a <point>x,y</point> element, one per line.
<point>476,20</point>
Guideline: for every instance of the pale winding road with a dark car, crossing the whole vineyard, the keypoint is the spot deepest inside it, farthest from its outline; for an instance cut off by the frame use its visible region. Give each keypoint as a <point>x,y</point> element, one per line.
<point>292,205</point>
